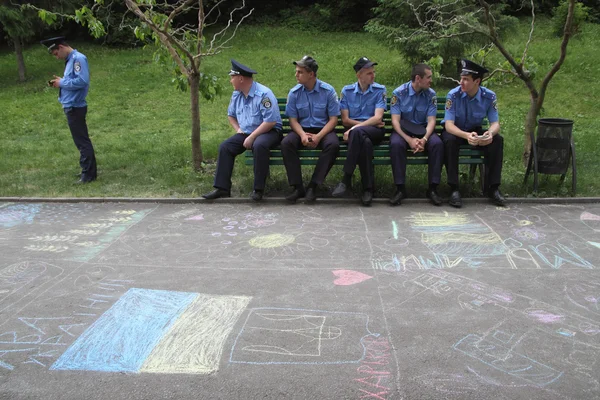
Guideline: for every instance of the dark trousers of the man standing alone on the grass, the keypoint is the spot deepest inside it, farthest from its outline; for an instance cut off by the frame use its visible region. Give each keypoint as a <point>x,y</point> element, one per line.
<point>79,132</point>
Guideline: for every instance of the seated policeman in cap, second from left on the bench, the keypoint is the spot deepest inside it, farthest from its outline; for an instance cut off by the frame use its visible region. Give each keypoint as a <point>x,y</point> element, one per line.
<point>313,109</point>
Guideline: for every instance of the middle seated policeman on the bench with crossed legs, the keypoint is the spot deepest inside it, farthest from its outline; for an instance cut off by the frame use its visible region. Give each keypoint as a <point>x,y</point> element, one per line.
<point>362,105</point>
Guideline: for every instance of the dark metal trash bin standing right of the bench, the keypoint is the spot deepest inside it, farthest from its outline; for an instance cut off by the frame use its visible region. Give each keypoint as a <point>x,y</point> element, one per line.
<point>553,150</point>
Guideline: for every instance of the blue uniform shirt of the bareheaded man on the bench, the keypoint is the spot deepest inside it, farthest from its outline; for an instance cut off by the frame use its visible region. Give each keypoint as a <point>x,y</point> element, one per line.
<point>412,106</point>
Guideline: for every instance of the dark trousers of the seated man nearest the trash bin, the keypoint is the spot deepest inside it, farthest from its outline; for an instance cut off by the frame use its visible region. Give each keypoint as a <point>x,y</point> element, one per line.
<point>493,152</point>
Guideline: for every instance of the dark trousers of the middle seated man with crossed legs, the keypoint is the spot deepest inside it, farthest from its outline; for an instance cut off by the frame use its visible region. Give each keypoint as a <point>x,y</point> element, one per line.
<point>360,151</point>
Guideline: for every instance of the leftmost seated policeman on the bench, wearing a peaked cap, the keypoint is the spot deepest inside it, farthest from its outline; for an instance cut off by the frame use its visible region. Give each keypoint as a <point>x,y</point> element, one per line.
<point>254,116</point>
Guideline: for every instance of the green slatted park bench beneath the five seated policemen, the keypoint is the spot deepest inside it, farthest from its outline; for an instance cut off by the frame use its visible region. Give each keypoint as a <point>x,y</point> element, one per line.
<point>468,154</point>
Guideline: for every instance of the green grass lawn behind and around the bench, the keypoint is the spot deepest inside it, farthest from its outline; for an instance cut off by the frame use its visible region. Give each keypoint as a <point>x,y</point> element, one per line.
<point>140,124</point>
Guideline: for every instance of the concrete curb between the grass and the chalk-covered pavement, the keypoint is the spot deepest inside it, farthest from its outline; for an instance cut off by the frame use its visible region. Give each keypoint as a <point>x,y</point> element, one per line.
<point>272,200</point>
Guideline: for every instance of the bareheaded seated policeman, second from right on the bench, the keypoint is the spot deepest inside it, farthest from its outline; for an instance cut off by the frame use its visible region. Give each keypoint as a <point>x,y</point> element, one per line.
<point>413,109</point>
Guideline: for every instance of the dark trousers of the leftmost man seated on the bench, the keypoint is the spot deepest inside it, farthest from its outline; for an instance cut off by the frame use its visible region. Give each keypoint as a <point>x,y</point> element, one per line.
<point>234,146</point>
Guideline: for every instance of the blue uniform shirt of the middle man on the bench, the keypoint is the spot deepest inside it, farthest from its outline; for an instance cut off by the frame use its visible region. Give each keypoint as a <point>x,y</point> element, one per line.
<point>361,105</point>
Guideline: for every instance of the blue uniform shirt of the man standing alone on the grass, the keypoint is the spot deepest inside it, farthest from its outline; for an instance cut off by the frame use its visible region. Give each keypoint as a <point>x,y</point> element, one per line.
<point>75,82</point>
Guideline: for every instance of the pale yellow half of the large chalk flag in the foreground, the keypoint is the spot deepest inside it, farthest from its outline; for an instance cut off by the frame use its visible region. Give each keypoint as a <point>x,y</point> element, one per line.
<point>194,344</point>
